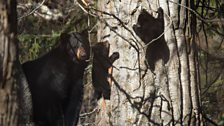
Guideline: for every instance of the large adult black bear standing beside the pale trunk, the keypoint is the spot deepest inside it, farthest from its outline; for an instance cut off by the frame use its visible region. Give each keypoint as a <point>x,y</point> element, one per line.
<point>55,81</point>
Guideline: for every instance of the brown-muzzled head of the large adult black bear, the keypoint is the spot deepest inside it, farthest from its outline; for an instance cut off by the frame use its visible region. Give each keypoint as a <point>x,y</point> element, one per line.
<point>76,45</point>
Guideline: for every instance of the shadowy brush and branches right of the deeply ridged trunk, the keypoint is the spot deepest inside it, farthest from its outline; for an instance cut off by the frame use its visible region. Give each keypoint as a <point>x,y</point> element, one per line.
<point>211,65</point>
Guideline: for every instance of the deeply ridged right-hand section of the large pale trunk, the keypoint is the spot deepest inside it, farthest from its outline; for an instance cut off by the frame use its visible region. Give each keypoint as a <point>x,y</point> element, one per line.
<point>180,24</point>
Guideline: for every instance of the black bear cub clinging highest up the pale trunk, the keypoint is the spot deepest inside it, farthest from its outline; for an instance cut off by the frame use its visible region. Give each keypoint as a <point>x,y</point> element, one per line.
<point>149,28</point>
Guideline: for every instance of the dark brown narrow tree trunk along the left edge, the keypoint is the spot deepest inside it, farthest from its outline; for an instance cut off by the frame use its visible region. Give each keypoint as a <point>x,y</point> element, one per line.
<point>8,103</point>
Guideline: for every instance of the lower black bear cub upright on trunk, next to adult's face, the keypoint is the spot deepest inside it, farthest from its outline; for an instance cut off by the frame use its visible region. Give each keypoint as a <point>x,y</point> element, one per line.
<point>102,69</point>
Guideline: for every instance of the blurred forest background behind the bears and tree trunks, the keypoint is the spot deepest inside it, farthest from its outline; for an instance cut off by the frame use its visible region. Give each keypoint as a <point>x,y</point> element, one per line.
<point>40,23</point>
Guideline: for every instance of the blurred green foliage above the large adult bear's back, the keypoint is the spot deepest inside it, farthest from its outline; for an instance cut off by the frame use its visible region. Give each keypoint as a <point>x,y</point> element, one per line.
<point>38,36</point>
